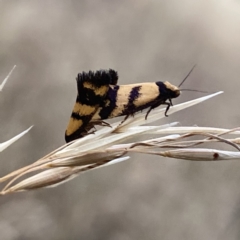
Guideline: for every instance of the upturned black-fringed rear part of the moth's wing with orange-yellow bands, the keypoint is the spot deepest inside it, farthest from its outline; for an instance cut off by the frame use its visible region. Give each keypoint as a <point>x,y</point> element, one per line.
<point>92,90</point>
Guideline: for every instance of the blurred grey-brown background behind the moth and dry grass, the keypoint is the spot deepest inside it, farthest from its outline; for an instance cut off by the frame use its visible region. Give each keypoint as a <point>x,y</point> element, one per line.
<point>146,197</point>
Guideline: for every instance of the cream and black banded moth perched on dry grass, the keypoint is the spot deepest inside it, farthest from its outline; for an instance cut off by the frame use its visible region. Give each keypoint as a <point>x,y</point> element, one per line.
<point>99,98</point>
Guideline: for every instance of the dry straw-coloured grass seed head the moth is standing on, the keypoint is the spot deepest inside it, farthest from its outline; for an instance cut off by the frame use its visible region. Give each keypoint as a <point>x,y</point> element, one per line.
<point>103,149</point>
